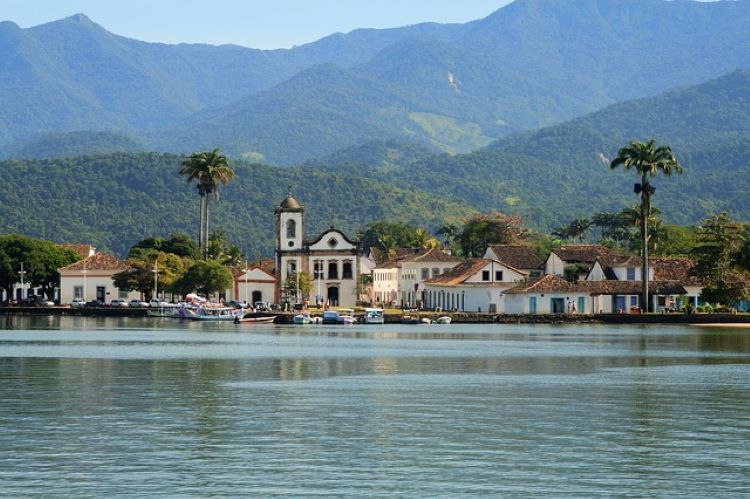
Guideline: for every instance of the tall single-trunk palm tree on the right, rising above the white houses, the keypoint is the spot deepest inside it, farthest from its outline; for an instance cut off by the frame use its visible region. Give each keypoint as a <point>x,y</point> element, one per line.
<point>647,160</point>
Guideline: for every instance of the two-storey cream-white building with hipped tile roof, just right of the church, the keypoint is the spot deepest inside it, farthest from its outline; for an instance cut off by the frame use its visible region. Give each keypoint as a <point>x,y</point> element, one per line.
<point>401,281</point>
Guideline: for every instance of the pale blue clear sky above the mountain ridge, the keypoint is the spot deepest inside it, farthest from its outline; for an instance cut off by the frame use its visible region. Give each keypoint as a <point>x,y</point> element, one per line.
<point>252,23</point>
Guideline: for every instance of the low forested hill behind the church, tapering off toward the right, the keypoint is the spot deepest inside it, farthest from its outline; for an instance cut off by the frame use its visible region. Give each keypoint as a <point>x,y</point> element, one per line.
<point>113,201</point>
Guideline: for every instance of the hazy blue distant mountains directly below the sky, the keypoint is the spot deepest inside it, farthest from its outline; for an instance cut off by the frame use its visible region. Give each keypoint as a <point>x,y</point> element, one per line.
<point>456,87</point>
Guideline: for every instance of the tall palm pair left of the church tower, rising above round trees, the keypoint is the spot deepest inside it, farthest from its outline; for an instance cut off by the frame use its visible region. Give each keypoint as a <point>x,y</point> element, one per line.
<point>207,169</point>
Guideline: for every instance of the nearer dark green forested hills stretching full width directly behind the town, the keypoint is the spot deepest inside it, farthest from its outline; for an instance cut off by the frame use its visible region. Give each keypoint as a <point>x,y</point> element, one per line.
<point>549,176</point>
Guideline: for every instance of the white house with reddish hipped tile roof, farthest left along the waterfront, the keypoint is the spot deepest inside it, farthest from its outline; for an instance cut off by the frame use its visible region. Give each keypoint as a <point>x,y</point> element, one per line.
<point>91,278</point>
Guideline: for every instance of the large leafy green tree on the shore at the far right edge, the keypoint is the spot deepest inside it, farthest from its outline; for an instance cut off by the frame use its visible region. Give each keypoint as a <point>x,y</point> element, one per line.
<point>718,264</point>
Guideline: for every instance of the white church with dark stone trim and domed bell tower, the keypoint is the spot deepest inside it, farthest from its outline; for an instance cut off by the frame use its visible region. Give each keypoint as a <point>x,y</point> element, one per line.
<point>330,259</point>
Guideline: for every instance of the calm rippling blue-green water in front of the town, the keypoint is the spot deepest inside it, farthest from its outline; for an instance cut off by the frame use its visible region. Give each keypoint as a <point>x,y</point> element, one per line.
<point>101,407</point>
